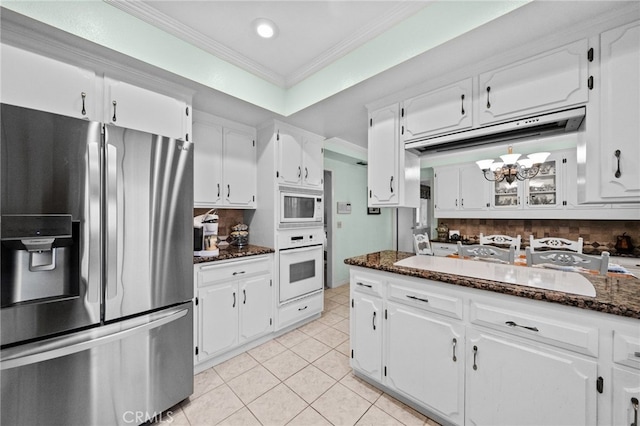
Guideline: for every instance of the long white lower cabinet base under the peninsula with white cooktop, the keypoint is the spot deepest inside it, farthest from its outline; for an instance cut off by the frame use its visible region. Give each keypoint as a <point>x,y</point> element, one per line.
<point>473,357</point>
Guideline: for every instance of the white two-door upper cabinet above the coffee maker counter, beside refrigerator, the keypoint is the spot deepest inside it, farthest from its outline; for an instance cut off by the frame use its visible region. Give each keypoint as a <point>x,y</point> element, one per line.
<point>224,166</point>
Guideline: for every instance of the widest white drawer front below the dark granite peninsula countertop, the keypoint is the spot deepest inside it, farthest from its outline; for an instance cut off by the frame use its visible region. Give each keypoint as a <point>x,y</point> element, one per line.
<point>554,331</point>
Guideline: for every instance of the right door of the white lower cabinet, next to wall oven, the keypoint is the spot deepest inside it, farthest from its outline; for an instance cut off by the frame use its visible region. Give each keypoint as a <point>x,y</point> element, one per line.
<point>256,303</point>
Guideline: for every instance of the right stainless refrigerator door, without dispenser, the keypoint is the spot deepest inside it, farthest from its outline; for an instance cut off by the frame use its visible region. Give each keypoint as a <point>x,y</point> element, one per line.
<point>149,217</point>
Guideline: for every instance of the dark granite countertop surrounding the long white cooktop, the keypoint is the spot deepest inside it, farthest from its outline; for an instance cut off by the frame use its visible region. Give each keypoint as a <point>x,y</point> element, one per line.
<point>617,295</point>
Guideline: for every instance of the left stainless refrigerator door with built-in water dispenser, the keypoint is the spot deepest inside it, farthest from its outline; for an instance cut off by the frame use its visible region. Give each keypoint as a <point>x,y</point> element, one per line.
<point>49,165</point>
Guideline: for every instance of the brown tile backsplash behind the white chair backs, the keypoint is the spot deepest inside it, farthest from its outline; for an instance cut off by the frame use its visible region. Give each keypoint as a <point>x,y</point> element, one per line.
<point>598,235</point>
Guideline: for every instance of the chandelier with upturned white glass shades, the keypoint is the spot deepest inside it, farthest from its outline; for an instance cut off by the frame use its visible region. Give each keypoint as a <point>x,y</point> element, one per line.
<point>512,167</point>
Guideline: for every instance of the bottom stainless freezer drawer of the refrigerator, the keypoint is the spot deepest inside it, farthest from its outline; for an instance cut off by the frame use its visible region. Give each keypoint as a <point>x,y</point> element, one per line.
<point>124,373</point>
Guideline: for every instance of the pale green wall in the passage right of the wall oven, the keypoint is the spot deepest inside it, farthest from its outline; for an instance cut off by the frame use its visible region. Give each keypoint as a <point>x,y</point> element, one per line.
<point>360,233</point>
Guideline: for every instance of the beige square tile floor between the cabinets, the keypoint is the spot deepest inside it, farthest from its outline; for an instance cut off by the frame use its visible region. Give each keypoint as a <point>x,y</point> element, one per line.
<point>300,378</point>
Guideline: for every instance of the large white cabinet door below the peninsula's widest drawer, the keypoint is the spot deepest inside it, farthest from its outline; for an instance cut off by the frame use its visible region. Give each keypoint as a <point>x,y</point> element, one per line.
<point>511,383</point>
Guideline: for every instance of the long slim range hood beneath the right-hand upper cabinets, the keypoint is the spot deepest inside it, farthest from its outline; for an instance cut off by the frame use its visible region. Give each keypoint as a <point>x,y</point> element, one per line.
<point>538,126</point>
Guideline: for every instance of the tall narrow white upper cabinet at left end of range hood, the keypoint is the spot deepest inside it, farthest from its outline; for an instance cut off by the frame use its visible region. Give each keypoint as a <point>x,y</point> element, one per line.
<point>393,173</point>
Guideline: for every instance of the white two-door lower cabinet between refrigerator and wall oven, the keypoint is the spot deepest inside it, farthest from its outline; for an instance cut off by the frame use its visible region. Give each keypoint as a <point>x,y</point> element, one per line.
<point>234,303</point>
